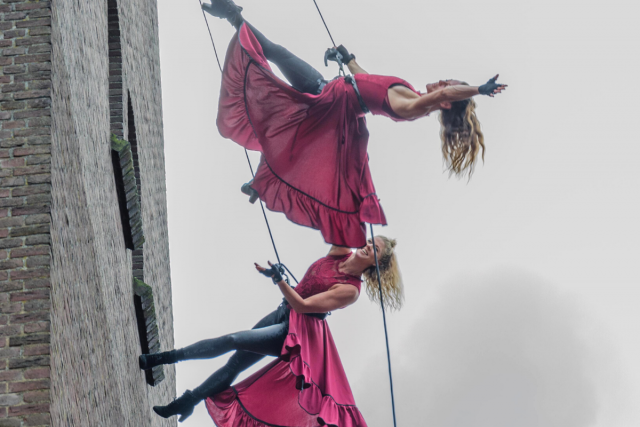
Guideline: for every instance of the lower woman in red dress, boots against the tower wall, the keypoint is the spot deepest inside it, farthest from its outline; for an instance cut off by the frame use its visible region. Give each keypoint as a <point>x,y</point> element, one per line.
<point>306,385</point>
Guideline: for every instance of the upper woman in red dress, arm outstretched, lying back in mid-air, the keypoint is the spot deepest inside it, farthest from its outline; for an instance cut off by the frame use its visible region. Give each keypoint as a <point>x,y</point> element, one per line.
<point>313,135</point>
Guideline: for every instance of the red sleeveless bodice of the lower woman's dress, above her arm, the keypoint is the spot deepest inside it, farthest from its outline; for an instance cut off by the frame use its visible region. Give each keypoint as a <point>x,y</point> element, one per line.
<point>323,274</point>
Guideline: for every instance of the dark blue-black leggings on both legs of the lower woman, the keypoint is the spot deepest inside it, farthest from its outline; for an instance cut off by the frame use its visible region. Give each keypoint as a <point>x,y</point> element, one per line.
<point>265,339</point>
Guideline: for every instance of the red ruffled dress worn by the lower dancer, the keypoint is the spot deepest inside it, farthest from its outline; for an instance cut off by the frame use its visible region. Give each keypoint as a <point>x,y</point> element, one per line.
<point>306,386</point>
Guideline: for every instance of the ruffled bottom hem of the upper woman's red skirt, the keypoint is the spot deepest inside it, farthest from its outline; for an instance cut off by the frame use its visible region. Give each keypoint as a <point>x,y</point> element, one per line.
<point>337,227</point>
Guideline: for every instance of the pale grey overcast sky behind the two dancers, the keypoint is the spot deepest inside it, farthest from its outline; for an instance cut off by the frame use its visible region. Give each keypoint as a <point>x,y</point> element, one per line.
<point>522,285</point>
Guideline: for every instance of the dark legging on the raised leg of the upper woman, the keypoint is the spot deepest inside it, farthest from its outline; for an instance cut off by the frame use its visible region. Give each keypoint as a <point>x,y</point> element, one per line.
<point>302,76</point>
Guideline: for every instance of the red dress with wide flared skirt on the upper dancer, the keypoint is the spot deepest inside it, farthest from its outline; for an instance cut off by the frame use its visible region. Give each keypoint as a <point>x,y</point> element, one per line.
<point>314,166</point>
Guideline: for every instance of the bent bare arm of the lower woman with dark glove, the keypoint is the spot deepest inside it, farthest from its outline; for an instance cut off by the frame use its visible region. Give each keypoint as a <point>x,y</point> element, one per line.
<point>337,297</point>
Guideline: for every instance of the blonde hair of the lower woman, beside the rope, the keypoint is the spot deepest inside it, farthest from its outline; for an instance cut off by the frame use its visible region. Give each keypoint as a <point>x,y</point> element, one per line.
<point>390,278</point>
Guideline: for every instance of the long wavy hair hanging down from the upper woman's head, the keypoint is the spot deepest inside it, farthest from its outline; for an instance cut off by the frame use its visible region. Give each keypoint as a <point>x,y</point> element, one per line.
<point>461,137</point>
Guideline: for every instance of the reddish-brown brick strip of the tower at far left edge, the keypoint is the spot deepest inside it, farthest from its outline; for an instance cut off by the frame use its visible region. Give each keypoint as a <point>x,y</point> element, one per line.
<point>25,204</point>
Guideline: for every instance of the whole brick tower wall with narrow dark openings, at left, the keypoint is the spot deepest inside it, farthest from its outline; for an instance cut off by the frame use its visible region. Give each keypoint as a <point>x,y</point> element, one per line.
<point>84,255</point>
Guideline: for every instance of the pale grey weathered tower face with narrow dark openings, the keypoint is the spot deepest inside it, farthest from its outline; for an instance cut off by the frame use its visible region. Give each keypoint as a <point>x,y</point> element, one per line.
<point>95,342</point>
